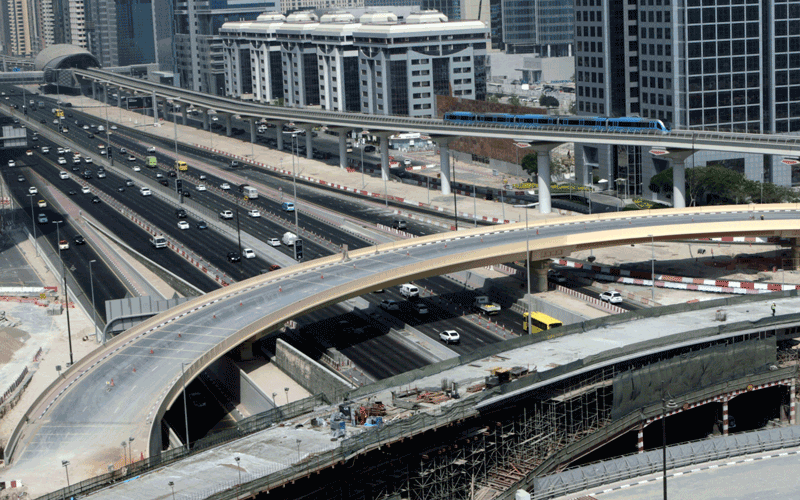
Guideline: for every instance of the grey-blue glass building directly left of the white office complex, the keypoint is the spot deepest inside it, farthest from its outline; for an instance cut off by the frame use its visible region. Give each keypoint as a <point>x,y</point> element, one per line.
<point>198,47</point>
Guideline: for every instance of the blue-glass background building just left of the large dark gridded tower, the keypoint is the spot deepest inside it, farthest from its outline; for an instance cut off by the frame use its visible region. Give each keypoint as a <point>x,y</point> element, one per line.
<point>545,27</point>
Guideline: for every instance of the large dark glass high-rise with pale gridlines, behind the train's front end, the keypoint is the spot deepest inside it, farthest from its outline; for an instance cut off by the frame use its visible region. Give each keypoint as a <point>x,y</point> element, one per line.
<point>727,65</point>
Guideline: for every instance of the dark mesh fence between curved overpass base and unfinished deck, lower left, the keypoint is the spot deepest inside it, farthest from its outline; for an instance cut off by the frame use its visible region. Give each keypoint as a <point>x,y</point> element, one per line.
<point>245,427</point>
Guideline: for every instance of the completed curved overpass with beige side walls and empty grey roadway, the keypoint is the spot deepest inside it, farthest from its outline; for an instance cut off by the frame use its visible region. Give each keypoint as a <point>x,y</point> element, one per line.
<point>123,389</point>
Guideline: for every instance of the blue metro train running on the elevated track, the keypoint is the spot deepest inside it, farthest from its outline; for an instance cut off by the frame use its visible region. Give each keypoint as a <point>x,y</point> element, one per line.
<point>597,123</point>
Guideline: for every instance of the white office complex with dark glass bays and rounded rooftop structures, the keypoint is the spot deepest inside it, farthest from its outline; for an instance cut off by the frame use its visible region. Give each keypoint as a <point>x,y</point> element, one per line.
<point>373,64</point>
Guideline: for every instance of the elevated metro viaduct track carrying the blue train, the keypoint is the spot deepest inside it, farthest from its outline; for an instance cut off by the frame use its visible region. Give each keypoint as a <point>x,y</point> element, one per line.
<point>677,139</point>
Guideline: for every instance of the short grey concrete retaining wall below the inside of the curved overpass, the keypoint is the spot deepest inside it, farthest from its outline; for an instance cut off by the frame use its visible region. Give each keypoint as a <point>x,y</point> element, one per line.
<point>314,377</point>
